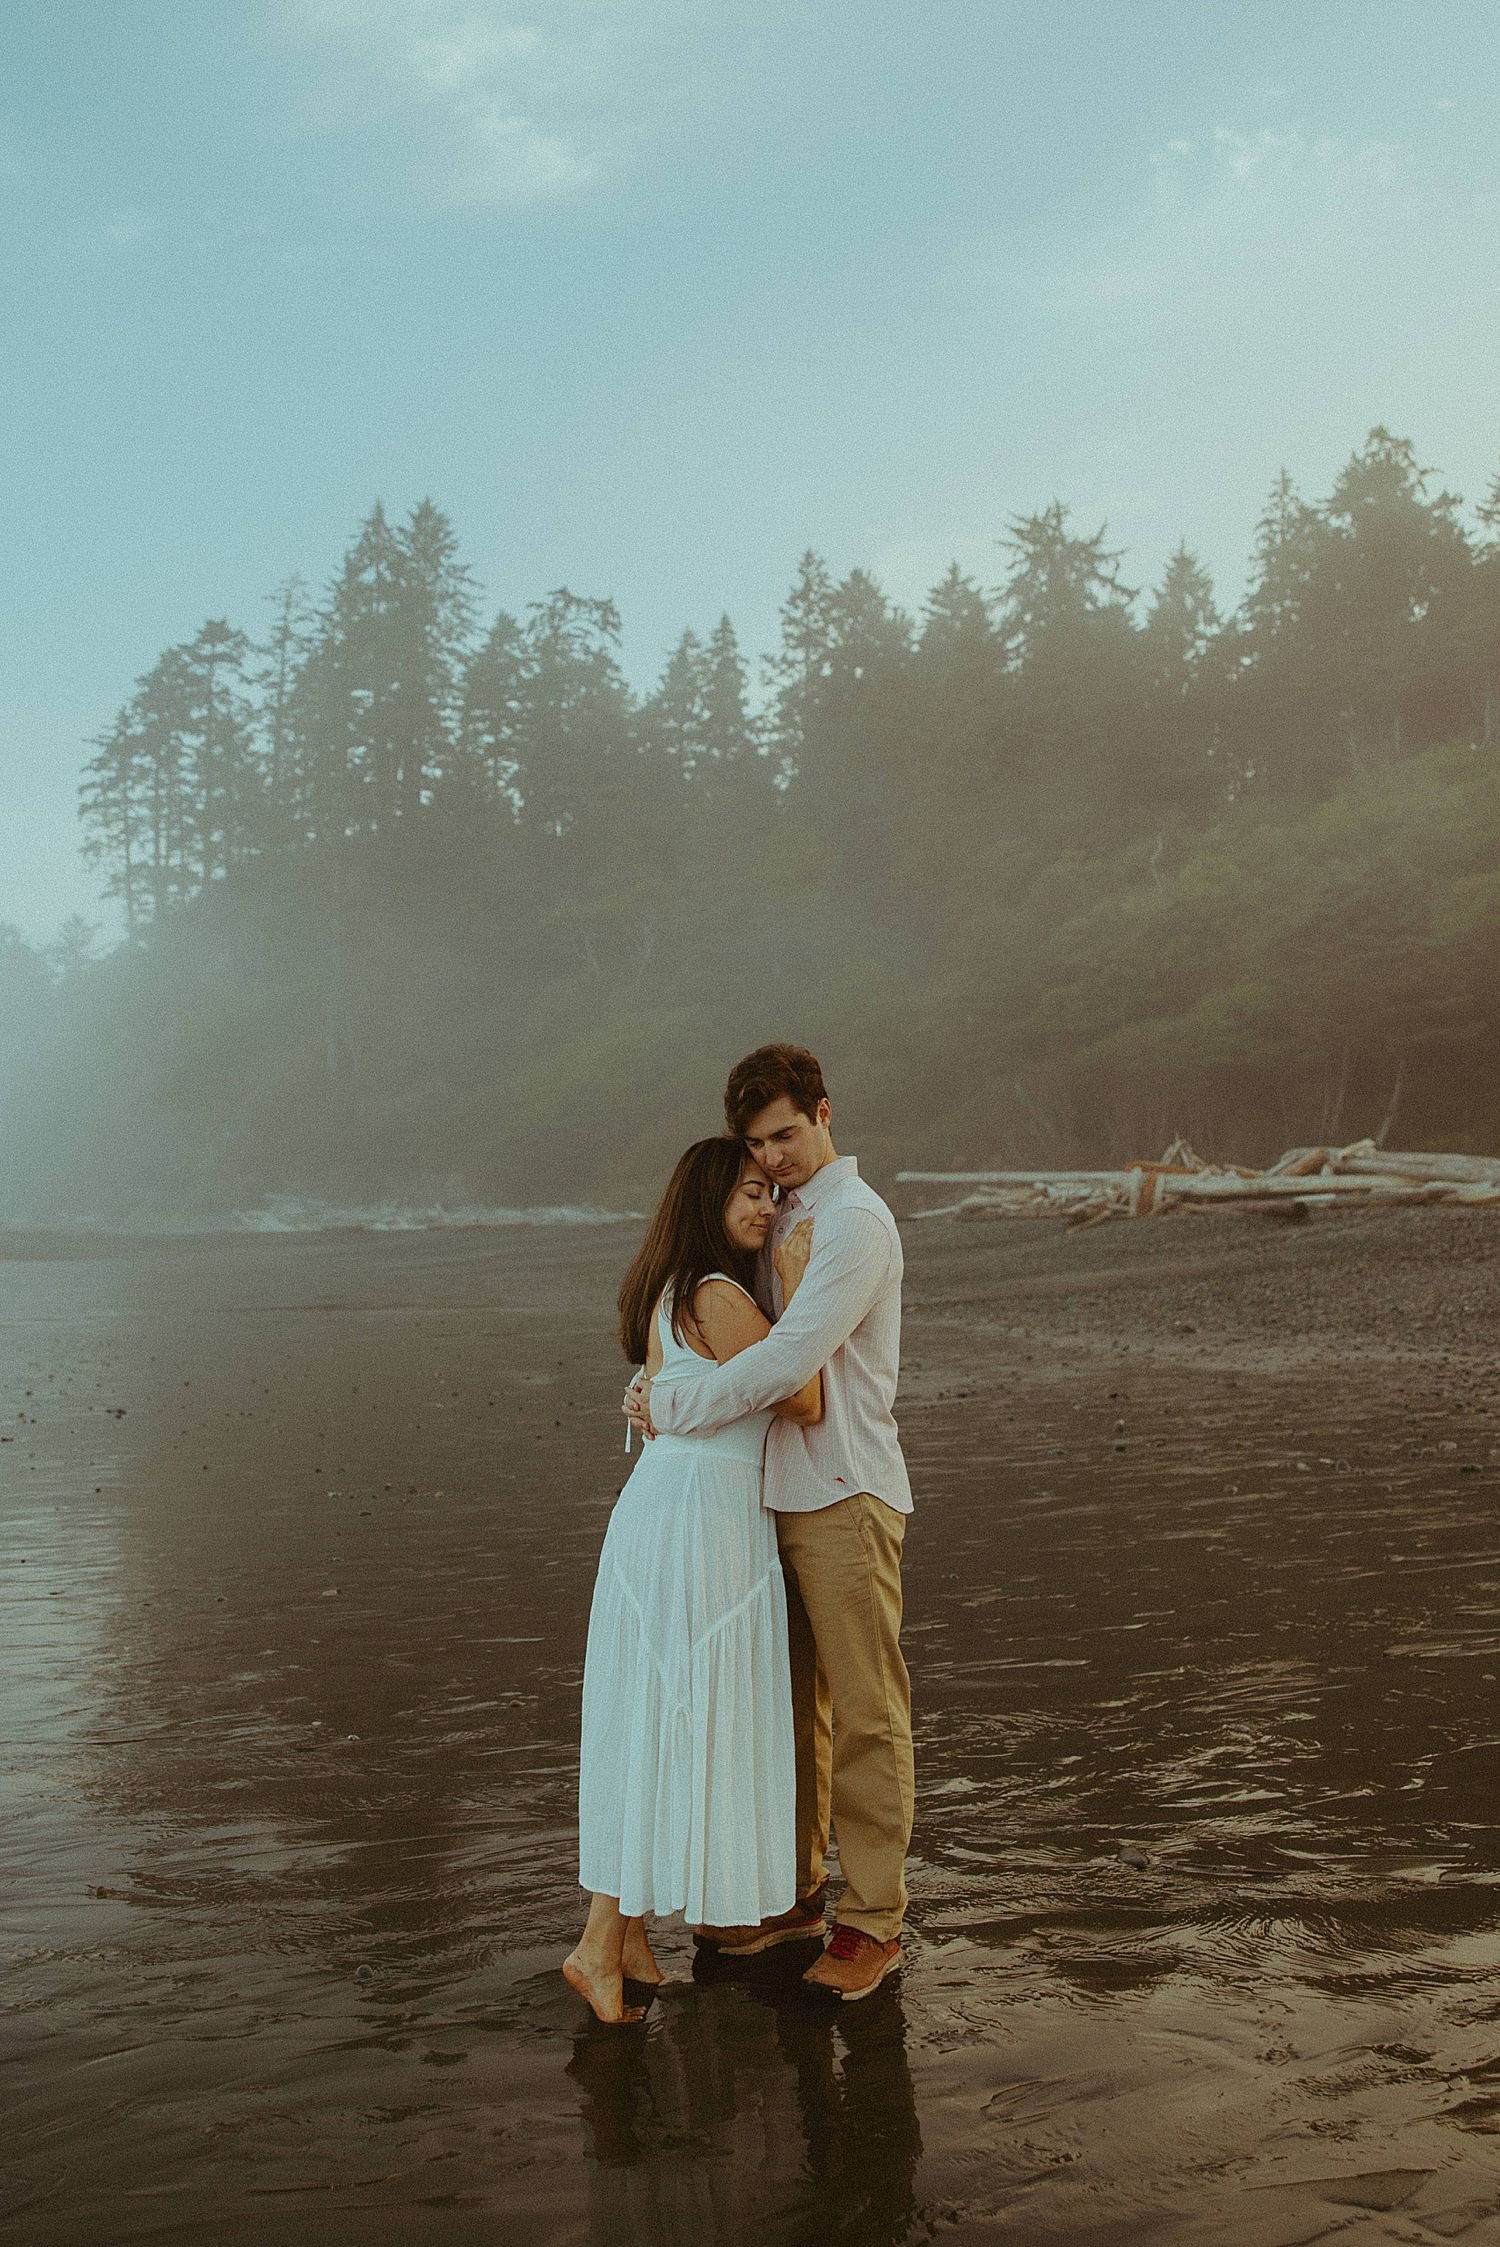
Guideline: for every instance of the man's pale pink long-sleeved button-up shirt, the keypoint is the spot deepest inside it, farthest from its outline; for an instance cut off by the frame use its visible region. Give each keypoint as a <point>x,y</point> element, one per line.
<point>845,1318</point>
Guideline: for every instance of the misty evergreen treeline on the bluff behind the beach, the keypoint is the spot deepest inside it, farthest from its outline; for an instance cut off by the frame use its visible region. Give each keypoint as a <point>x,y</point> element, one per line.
<point>1048,873</point>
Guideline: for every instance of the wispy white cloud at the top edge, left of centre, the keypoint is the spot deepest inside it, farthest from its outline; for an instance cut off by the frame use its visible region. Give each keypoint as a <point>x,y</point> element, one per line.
<point>518,102</point>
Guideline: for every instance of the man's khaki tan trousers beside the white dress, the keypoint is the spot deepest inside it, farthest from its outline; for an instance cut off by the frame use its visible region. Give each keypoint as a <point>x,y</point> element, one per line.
<point>852,1704</point>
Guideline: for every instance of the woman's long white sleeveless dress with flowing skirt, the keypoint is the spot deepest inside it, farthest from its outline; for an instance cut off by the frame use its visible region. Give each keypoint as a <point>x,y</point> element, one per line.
<point>688,1779</point>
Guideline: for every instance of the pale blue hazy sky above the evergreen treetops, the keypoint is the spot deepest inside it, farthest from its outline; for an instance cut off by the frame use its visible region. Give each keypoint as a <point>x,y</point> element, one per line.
<point>652,298</point>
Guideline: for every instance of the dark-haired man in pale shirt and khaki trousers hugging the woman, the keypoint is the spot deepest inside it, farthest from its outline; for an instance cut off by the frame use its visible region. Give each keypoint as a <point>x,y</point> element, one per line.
<point>841,1498</point>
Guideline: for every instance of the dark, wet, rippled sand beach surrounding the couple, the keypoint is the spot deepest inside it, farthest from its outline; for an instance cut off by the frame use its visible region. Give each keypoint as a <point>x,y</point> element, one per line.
<point>1205,1628</point>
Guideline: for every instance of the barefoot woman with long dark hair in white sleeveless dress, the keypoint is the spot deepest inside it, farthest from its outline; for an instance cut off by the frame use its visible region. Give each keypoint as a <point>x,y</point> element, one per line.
<point>686,1783</point>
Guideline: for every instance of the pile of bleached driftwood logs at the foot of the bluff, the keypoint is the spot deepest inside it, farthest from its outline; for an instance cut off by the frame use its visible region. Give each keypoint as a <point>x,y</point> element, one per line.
<point>1304,1181</point>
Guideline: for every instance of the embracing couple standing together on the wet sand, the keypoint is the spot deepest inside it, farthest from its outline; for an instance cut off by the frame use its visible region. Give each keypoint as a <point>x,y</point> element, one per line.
<point>744,1684</point>
